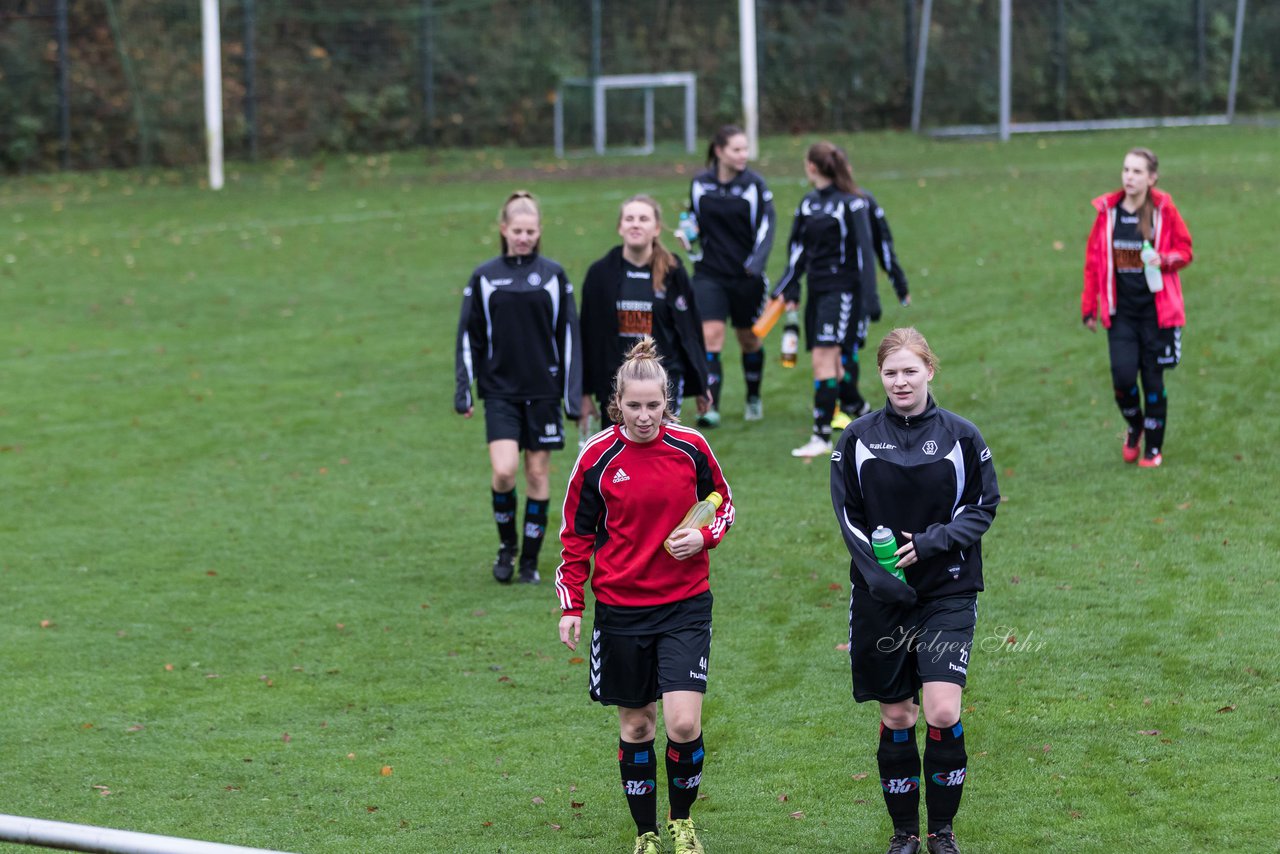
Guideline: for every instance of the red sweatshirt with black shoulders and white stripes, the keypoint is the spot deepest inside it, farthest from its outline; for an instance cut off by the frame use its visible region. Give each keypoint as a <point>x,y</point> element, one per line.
<point>623,503</point>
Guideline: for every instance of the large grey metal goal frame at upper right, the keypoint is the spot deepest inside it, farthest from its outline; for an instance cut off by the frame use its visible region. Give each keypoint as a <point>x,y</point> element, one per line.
<point>1005,127</point>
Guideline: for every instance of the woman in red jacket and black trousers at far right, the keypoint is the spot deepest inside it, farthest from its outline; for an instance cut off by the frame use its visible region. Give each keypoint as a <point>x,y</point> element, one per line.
<point>1137,227</point>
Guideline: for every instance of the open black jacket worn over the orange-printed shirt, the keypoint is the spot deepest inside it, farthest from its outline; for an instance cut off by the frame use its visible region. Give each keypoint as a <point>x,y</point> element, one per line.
<point>678,328</point>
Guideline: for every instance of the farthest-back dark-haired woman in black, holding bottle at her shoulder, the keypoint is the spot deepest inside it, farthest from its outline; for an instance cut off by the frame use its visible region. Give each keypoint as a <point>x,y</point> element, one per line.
<point>734,209</point>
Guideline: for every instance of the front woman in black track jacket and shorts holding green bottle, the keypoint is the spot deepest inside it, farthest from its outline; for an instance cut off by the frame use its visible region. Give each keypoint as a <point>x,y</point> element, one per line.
<point>926,476</point>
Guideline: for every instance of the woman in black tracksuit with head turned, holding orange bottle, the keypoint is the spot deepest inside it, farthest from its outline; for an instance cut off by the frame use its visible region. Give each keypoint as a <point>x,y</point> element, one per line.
<point>838,231</point>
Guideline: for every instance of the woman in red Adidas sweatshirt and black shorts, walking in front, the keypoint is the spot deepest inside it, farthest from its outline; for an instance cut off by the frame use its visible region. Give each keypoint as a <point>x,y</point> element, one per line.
<point>652,633</point>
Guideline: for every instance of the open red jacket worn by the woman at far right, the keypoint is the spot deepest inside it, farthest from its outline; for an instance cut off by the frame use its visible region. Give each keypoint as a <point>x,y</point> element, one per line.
<point>1173,241</point>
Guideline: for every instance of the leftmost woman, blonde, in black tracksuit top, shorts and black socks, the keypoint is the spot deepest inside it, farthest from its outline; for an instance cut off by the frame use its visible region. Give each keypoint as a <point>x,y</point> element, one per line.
<point>519,344</point>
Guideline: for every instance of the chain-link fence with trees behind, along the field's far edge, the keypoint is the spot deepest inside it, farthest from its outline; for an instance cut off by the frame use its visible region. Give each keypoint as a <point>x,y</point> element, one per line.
<point>94,84</point>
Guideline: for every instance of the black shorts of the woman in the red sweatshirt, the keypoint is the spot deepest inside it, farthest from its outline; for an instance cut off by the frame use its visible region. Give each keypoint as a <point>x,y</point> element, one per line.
<point>634,670</point>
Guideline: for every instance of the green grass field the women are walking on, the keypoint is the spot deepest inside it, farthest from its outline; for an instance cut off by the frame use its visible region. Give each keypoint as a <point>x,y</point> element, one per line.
<point>245,544</point>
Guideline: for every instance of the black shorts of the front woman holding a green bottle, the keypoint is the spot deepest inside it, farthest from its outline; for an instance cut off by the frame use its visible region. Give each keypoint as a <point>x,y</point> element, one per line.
<point>895,651</point>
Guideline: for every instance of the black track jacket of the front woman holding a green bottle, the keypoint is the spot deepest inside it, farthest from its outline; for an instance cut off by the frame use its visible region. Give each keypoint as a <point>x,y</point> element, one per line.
<point>930,476</point>
